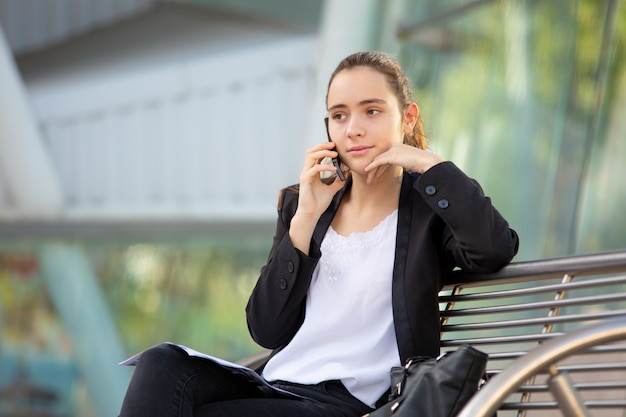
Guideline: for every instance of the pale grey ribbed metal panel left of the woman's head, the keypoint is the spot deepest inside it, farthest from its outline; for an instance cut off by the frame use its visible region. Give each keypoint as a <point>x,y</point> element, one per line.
<point>211,138</point>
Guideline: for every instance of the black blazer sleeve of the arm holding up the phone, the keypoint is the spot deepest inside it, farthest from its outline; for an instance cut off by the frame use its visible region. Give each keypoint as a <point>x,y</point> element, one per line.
<point>276,307</point>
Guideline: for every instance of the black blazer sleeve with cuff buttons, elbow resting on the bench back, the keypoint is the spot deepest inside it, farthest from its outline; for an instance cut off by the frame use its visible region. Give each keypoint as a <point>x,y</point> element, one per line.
<point>476,237</point>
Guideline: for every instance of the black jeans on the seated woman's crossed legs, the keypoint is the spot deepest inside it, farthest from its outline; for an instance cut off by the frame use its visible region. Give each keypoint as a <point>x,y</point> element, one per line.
<point>169,383</point>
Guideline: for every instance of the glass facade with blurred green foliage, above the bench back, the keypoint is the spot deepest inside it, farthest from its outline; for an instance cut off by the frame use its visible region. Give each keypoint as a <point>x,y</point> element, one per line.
<point>529,97</point>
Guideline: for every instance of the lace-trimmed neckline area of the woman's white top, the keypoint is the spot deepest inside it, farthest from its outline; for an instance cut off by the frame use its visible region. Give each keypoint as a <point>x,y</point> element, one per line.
<point>340,252</point>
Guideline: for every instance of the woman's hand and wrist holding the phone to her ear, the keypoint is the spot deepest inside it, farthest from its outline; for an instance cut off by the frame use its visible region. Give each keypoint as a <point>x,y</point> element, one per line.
<point>314,195</point>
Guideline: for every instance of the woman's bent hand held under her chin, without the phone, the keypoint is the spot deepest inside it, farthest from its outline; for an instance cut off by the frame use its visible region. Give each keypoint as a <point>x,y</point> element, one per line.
<point>406,156</point>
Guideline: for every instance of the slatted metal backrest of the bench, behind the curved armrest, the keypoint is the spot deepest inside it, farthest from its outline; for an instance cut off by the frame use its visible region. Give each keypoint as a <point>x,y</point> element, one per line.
<point>509,313</point>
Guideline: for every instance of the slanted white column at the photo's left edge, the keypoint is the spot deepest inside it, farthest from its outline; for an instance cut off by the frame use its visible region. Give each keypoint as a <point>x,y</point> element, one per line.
<point>27,171</point>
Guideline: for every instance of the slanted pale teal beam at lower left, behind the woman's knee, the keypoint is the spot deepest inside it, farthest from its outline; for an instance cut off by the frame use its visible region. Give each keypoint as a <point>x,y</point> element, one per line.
<point>79,302</point>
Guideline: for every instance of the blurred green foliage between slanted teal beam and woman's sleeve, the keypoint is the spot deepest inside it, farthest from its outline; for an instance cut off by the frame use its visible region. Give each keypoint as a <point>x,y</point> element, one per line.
<point>193,296</point>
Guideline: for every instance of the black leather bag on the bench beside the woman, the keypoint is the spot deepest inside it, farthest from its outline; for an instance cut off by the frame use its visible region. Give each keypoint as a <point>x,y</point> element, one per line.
<point>434,387</point>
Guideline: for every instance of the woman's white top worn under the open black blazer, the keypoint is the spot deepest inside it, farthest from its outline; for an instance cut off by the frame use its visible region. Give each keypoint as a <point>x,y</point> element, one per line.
<point>348,332</point>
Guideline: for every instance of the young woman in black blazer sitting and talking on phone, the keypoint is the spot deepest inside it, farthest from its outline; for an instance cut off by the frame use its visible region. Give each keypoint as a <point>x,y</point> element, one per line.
<point>351,282</point>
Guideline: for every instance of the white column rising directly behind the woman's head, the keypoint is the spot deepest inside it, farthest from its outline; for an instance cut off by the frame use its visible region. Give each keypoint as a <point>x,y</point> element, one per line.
<point>346,26</point>
